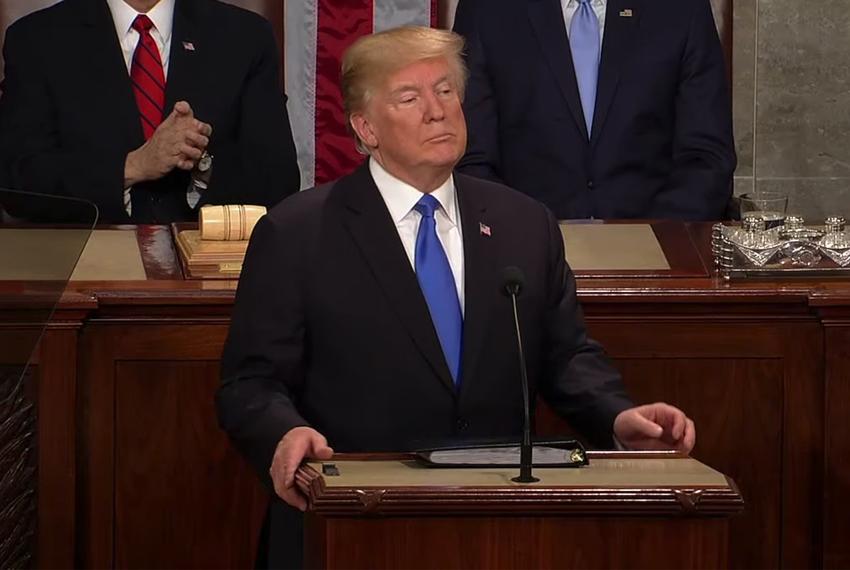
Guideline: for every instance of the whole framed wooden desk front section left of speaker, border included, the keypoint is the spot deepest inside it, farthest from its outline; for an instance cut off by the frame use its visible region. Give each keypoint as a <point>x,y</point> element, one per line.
<point>164,486</point>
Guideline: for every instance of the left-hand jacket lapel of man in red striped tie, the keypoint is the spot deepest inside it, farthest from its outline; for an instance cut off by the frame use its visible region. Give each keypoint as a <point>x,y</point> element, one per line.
<point>106,66</point>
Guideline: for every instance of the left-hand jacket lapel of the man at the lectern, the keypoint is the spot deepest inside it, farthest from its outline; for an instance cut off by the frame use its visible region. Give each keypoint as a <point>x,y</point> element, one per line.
<point>374,232</point>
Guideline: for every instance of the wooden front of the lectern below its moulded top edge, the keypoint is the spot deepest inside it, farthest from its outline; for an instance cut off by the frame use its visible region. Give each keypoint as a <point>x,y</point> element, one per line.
<point>520,542</point>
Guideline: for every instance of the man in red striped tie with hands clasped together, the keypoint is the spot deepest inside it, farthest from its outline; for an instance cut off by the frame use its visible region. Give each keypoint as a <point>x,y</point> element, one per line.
<point>137,105</point>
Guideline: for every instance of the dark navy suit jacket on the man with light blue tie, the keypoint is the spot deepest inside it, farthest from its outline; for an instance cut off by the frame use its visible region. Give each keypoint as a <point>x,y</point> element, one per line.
<point>661,144</point>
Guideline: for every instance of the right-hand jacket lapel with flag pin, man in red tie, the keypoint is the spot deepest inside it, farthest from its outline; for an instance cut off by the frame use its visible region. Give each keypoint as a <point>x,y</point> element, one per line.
<point>186,50</point>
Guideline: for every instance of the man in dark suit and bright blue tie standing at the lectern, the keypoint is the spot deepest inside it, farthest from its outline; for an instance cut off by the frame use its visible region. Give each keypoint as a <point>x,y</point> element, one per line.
<point>370,313</point>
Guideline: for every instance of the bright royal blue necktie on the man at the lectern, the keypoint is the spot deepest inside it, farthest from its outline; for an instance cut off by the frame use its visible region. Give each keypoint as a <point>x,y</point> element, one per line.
<point>438,284</point>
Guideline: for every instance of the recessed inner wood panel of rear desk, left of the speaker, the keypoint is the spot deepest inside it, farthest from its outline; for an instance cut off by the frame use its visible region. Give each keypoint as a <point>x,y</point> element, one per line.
<point>182,497</point>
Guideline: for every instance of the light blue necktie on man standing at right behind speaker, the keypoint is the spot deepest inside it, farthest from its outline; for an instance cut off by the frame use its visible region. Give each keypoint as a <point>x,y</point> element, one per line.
<point>584,45</point>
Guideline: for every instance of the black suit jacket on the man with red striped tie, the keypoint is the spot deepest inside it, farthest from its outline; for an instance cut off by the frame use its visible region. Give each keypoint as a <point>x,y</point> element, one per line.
<point>68,117</point>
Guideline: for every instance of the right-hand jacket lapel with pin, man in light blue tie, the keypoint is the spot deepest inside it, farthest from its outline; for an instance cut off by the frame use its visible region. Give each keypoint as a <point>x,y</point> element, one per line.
<point>616,48</point>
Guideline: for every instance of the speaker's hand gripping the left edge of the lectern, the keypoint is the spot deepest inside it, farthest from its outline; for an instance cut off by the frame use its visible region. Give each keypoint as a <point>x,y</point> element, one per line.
<point>296,445</point>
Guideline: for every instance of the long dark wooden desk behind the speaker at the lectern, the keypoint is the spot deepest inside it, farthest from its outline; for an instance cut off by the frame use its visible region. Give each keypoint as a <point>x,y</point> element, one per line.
<point>133,471</point>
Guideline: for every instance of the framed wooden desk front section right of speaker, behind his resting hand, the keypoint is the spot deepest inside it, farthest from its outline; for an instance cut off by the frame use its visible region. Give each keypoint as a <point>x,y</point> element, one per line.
<point>735,381</point>
